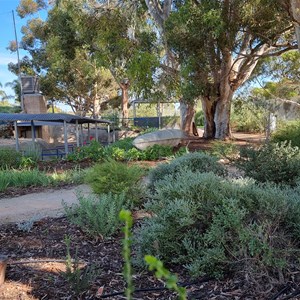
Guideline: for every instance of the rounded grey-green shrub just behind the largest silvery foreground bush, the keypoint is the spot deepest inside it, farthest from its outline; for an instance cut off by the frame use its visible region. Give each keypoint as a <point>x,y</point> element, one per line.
<point>196,161</point>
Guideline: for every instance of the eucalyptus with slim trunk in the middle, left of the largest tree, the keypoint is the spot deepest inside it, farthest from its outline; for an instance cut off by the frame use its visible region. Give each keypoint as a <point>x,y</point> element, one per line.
<point>122,41</point>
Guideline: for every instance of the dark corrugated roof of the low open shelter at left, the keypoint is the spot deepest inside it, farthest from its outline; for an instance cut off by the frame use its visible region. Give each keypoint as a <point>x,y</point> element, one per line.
<point>50,118</point>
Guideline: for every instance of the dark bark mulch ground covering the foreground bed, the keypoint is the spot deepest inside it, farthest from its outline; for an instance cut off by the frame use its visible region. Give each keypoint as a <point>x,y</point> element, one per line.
<point>45,242</point>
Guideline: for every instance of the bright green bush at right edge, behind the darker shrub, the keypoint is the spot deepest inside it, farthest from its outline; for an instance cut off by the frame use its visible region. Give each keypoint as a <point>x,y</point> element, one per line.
<point>288,131</point>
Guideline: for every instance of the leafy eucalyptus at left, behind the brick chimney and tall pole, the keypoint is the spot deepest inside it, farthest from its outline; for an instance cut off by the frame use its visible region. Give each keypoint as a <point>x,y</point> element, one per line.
<point>67,70</point>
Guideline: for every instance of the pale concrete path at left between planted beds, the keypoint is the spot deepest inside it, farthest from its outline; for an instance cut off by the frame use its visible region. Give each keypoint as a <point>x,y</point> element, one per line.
<point>32,207</point>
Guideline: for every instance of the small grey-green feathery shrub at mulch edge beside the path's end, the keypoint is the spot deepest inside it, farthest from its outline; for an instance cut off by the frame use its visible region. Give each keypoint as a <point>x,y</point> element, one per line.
<point>97,216</point>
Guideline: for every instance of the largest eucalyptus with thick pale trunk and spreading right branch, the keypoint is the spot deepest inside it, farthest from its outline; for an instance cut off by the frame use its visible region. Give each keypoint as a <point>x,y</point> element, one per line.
<point>219,44</point>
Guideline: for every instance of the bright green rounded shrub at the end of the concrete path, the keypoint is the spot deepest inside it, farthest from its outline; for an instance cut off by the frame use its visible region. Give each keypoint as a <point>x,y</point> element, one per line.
<point>116,178</point>
